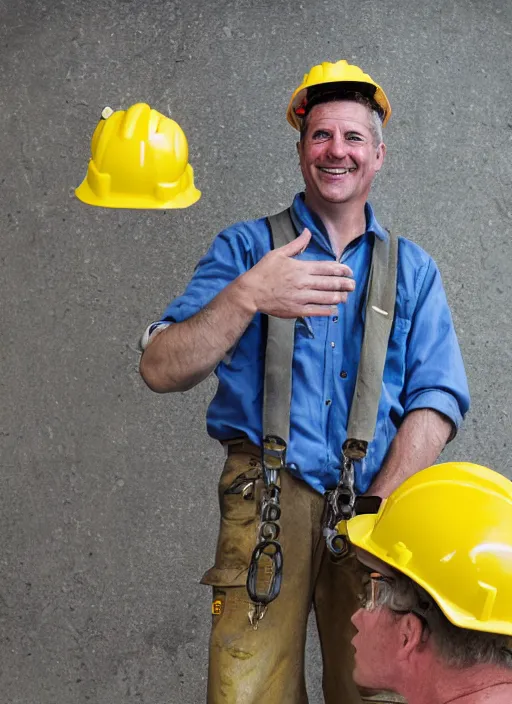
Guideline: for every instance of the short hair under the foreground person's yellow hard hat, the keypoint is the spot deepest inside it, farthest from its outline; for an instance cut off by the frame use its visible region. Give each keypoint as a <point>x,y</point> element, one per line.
<point>459,647</point>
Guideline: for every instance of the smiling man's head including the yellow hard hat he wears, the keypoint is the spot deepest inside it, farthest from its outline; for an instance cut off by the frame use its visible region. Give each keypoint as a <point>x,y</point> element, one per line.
<point>339,112</point>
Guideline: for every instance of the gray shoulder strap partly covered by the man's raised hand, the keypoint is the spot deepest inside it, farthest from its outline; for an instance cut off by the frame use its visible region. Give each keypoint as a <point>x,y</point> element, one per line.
<point>277,385</point>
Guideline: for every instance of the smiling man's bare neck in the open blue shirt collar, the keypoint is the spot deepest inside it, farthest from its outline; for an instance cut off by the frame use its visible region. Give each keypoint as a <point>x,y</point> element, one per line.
<point>343,221</point>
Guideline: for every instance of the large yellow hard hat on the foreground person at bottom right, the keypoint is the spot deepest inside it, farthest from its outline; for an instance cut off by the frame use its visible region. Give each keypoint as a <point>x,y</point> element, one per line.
<point>449,528</point>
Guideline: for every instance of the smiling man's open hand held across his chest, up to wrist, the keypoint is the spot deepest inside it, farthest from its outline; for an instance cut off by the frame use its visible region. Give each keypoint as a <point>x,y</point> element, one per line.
<point>285,287</point>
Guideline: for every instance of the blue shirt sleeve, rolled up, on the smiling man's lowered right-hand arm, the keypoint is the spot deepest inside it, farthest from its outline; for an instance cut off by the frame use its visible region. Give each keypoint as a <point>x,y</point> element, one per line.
<point>435,376</point>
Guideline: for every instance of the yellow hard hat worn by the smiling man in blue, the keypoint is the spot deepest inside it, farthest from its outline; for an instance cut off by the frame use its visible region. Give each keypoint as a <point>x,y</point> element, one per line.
<point>326,77</point>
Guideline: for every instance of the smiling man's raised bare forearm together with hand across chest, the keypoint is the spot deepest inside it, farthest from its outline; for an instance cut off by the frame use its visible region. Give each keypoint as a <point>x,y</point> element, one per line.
<point>185,353</point>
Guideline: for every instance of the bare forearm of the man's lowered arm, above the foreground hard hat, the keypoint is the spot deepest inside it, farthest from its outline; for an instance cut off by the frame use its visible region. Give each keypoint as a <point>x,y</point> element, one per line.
<point>418,443</point>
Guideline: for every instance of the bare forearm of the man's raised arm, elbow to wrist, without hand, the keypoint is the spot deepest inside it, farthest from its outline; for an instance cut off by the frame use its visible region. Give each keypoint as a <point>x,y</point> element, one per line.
<point>185,353</point>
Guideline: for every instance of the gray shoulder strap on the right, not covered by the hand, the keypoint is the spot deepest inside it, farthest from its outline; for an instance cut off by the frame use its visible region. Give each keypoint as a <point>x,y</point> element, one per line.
<point>380,308</point>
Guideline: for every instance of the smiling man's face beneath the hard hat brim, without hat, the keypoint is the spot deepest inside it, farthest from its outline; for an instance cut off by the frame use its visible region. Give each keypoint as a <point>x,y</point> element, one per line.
<point>338,154</point>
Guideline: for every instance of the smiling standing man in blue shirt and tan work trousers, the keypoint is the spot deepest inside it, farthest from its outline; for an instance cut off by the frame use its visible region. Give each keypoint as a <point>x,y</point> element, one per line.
<point>320,279</point>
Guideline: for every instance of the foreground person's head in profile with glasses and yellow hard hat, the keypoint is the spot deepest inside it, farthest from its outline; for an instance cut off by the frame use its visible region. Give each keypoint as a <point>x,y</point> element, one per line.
<point>439,561</point>
